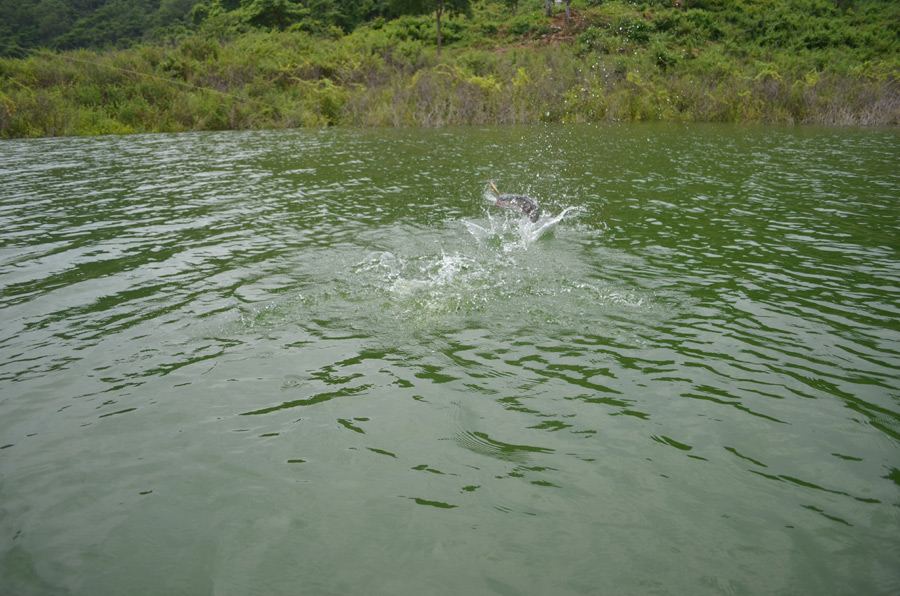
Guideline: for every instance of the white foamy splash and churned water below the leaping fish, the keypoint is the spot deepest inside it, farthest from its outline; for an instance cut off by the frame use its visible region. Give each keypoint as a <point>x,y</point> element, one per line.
<point>486,272</point>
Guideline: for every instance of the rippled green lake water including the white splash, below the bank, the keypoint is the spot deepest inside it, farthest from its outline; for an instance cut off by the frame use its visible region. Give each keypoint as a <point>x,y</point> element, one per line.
<point>322,362</point>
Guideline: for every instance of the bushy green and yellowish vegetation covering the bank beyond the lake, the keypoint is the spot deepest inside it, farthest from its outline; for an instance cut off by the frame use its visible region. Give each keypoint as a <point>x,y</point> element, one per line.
<point>793,61</point>
